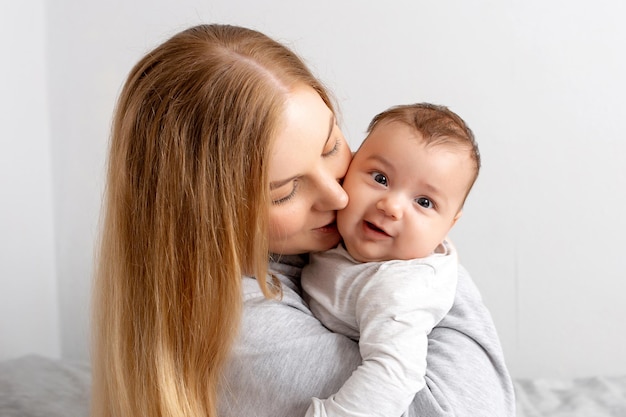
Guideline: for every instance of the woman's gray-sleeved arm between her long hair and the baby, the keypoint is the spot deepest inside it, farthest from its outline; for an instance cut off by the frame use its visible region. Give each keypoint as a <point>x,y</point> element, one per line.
<point>283,358</point>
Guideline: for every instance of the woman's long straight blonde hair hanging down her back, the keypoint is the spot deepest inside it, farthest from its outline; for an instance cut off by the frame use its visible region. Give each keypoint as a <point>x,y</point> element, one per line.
<point>185,215</point>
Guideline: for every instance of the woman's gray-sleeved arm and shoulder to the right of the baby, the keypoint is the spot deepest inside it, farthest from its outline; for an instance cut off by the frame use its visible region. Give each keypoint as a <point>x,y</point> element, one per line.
<point>466,373</point>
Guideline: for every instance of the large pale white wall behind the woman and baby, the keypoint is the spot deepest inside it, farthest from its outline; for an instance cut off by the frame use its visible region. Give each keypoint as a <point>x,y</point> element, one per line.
<point>540,82</point>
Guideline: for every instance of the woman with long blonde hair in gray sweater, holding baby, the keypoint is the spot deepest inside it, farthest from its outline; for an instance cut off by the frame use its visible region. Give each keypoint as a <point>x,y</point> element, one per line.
<point>225,149</point>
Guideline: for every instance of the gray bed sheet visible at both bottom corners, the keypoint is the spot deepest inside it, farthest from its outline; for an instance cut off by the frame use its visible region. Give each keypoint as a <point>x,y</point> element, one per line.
<point>34,386</point>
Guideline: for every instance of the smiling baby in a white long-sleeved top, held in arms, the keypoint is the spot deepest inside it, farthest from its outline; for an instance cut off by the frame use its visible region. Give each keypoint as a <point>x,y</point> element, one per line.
<point>394,276</point>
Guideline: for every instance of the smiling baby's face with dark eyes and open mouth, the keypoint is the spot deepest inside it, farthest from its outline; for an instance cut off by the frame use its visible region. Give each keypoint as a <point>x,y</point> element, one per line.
<point>404,196</point>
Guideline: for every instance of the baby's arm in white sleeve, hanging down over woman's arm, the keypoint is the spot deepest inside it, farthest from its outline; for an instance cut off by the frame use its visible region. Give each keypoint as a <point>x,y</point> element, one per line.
<point>396,309</point>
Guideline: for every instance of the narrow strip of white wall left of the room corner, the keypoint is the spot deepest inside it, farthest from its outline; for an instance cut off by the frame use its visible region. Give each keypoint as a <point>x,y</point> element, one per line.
<point>29,320</point>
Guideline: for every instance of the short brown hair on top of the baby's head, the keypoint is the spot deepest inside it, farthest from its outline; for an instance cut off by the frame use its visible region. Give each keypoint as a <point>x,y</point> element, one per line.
<point>438,125</point>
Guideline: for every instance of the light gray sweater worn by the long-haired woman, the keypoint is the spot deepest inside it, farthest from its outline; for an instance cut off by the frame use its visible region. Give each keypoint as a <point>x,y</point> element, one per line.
<point>284,356</point>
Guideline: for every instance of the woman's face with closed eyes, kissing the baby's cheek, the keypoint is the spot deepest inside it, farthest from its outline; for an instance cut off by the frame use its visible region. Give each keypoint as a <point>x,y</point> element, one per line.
<point>309,158</point>
